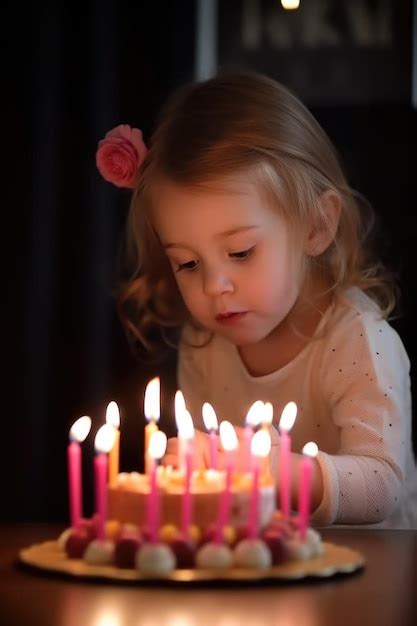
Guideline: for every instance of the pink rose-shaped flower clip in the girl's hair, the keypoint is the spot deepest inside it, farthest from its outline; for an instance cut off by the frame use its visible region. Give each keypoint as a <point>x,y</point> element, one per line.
<point>120,155</point>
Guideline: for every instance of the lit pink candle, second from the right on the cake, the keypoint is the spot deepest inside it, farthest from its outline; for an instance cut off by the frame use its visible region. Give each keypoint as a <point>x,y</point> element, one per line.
<point>286,422</point>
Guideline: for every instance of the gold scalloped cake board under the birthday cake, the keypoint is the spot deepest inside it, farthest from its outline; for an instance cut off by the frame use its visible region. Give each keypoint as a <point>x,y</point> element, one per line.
<point>336,559</point>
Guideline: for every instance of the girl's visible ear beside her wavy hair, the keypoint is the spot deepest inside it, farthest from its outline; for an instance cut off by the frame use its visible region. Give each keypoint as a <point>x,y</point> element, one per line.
<point>323,230</point>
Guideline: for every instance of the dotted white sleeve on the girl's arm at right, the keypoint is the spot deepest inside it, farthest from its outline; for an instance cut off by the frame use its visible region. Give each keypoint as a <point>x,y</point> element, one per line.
<point>365,377</point>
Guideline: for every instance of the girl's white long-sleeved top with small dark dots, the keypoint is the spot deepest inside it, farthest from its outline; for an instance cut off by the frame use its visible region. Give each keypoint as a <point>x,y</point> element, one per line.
<point>352,388</point>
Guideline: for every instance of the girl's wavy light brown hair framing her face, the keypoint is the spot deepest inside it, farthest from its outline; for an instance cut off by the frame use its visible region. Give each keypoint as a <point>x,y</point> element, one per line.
<point>228,125</point>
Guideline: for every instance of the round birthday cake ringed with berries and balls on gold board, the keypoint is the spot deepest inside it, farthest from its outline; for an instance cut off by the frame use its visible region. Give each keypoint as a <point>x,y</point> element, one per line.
<point>184,524</point>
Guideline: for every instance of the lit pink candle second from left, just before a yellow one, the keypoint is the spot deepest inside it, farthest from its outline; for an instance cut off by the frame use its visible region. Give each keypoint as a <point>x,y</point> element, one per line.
<point>103,443</point>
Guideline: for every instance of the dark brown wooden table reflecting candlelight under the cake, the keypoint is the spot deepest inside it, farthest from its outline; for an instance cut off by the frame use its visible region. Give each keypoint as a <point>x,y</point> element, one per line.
<point>383,594</point>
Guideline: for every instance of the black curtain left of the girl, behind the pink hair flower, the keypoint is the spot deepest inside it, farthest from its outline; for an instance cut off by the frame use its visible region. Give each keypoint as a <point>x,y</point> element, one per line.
<point>72,73</point>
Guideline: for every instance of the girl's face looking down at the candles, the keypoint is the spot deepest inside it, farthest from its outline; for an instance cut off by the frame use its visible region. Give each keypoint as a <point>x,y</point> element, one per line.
<point>232,258</point>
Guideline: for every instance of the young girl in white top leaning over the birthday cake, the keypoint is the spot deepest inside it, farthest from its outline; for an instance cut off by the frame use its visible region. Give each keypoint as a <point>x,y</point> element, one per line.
<point>244,233</point>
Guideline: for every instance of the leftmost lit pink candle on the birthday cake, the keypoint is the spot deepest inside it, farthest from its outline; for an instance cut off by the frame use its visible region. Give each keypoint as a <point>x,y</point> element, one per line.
<point>78,432</point>
